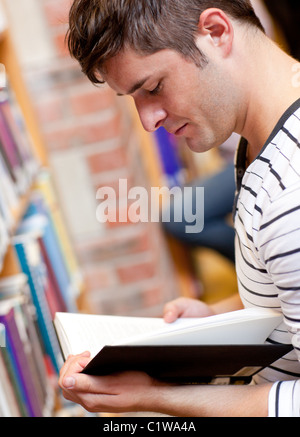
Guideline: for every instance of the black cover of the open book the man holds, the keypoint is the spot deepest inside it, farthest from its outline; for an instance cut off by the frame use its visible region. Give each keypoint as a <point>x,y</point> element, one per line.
<point>188,363</point>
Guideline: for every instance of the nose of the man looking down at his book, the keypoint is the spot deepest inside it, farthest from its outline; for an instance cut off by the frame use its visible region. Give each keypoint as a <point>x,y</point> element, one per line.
<point>152,115</point>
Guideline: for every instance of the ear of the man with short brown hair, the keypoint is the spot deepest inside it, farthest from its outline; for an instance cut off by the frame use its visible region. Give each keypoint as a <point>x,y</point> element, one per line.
<point>217,28</point>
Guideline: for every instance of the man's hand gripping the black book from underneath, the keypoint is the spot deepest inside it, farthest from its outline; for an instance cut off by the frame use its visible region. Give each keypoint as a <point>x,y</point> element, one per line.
<point>122,392</point>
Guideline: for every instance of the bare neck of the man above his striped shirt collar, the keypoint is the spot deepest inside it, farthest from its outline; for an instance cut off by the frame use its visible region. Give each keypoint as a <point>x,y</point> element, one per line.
<point>271,92</point>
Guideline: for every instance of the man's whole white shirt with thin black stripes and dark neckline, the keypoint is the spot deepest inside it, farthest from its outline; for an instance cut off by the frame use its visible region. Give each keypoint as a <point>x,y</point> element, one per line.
<point>267,223</point>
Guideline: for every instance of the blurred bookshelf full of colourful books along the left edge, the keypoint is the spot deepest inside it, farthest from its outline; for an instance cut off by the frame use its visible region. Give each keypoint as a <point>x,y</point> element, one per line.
<point>38,271</point>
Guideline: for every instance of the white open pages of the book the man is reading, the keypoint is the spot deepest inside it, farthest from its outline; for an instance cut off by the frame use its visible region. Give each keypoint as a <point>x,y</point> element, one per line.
<point>81,332</point>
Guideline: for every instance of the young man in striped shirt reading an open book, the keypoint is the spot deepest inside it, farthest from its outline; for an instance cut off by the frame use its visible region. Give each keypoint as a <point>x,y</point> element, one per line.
<point>204,69</point>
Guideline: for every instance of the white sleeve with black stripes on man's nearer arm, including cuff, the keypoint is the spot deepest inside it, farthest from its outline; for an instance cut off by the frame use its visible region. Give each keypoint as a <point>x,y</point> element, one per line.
<point>279,237</point>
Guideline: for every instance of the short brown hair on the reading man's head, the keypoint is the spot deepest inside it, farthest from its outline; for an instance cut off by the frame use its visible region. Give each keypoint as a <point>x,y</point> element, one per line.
<point>99,29</point>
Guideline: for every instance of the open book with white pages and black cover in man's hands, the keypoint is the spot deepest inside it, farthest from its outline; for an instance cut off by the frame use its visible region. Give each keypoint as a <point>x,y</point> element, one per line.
<point>231,345</point>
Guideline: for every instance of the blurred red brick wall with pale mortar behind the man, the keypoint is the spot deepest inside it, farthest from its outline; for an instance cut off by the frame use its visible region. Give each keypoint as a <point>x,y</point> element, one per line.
<point>127,268</point>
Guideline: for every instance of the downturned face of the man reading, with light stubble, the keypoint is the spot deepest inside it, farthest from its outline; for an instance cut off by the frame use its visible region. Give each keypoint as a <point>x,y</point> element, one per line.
<point>172,92</point>
